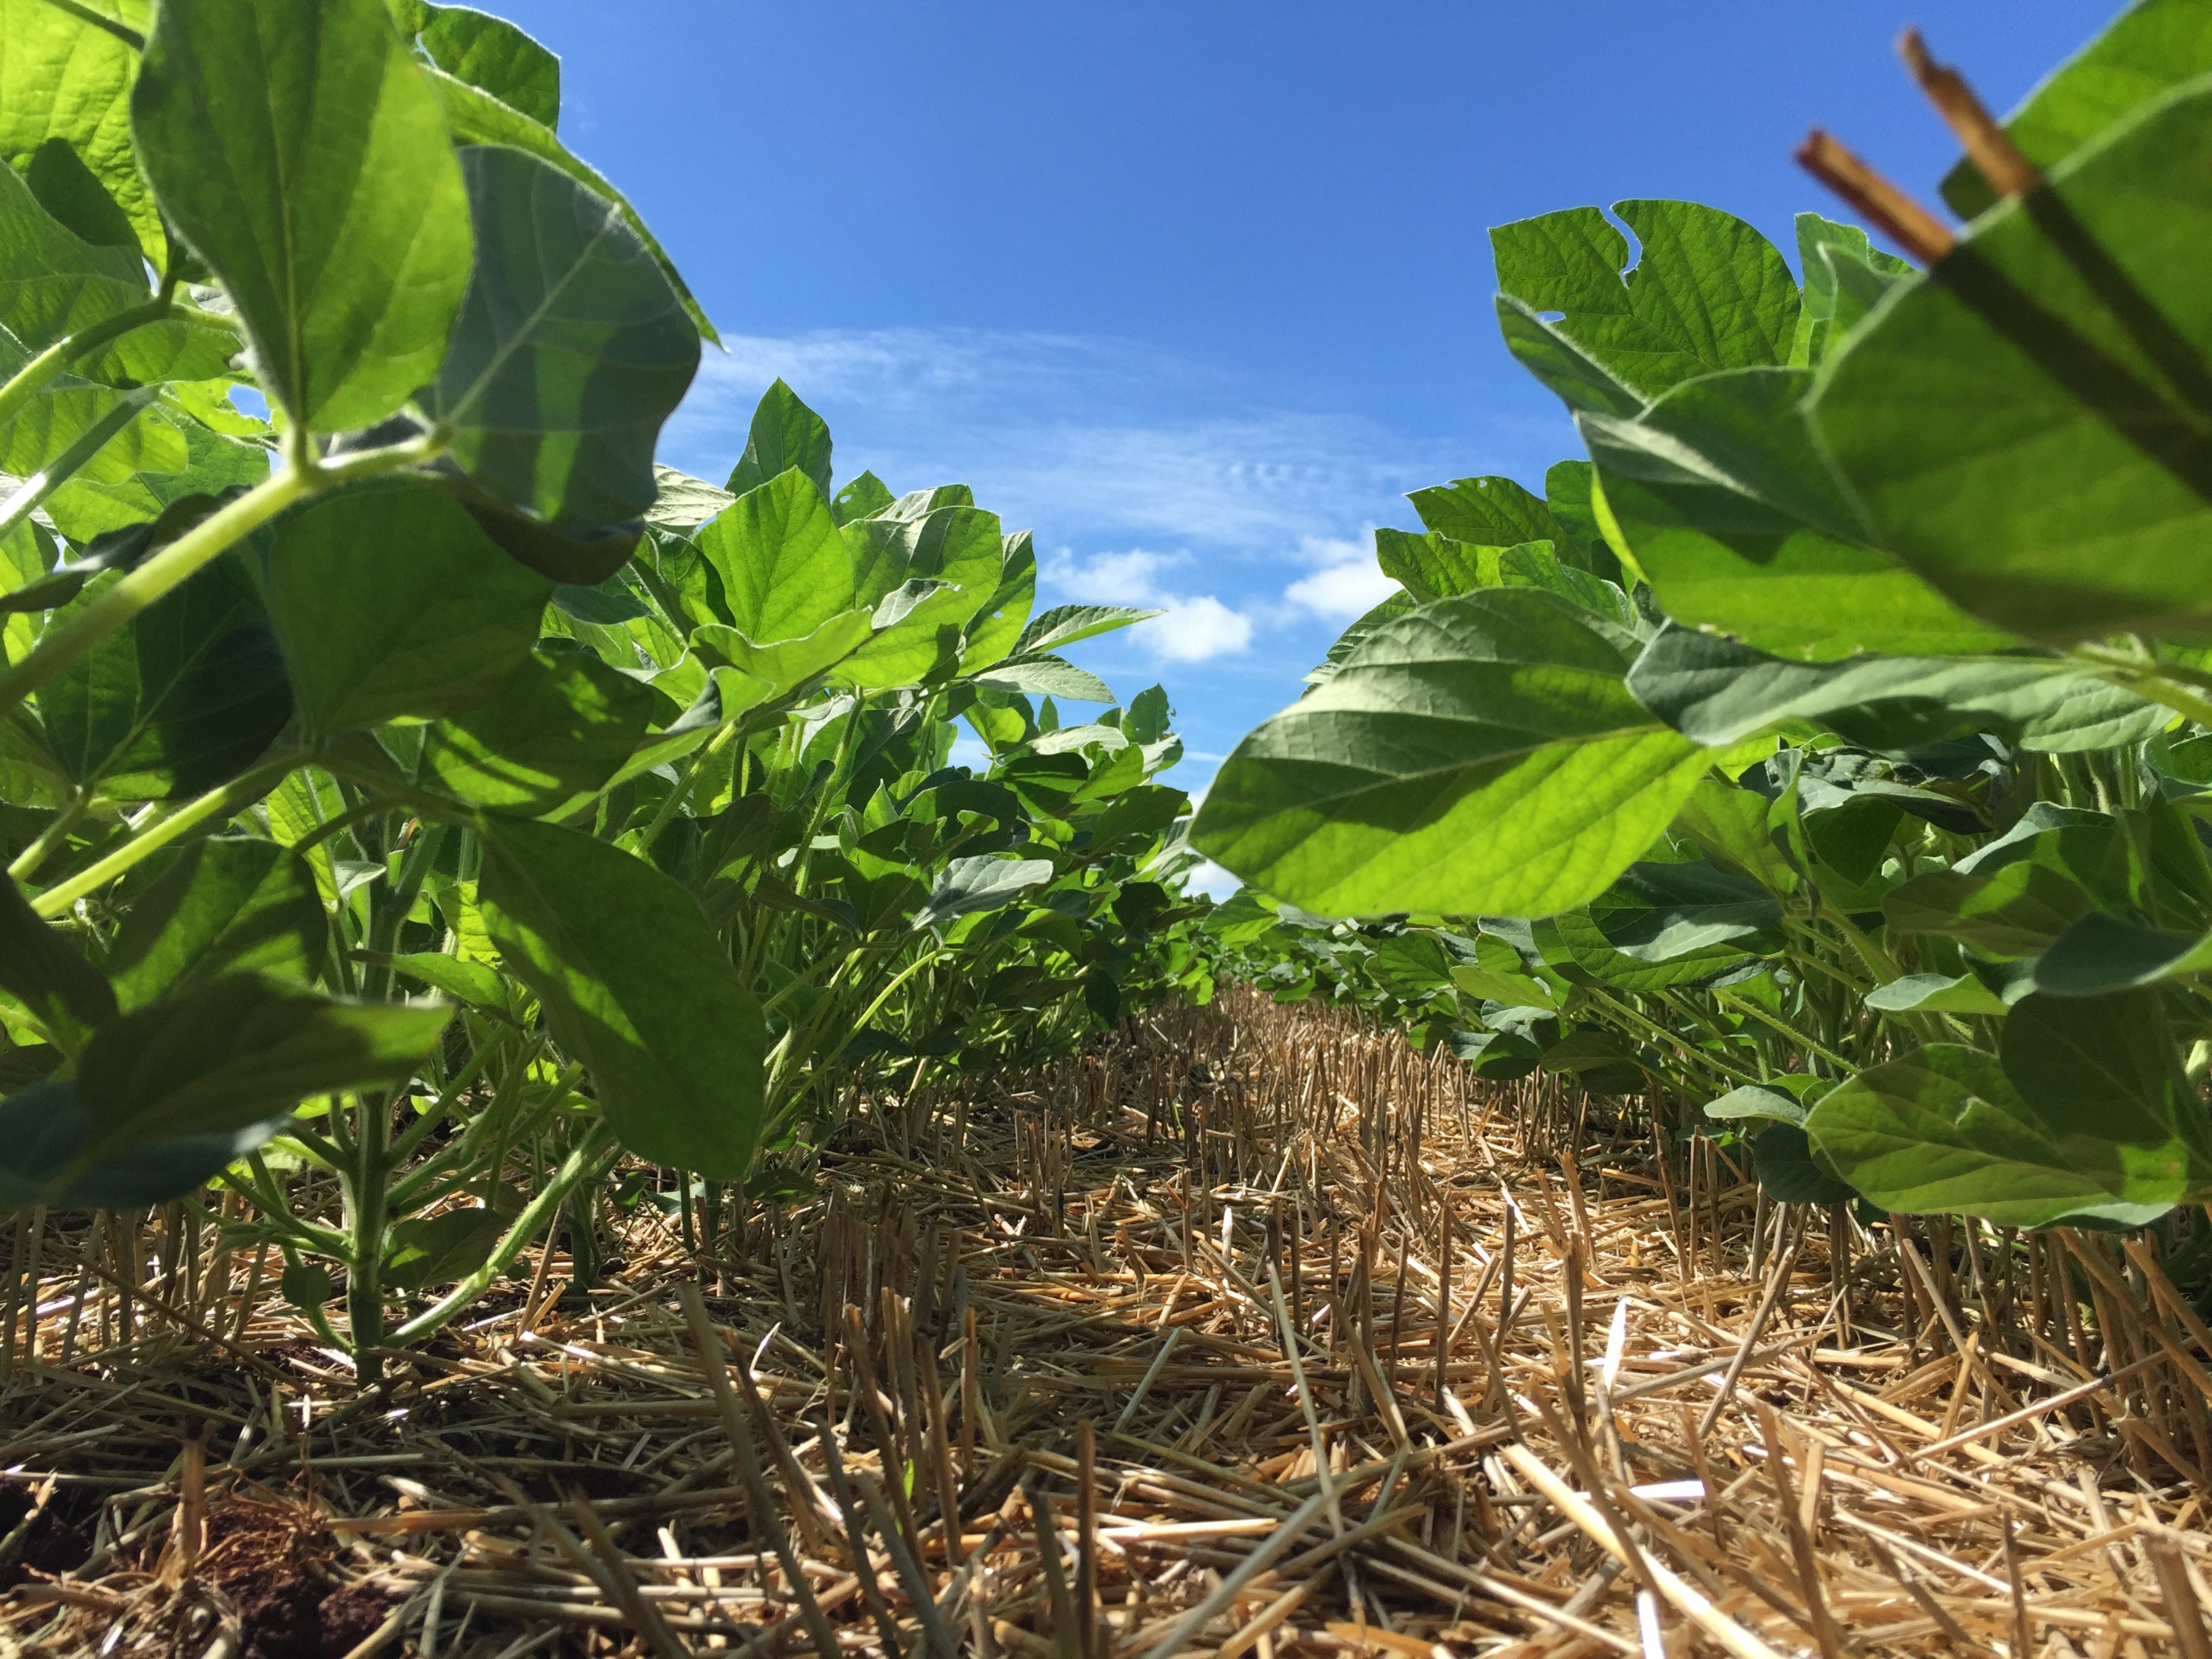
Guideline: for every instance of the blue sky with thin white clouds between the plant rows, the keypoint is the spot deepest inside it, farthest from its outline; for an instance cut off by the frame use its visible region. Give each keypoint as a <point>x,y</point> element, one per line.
<point>1200,291</point>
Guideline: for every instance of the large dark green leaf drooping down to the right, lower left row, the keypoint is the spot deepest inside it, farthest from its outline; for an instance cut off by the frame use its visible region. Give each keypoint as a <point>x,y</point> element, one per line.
<point>638,988</point>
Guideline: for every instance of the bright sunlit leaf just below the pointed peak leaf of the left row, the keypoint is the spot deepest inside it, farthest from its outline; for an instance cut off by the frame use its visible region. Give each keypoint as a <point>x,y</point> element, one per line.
<point>784,565</point>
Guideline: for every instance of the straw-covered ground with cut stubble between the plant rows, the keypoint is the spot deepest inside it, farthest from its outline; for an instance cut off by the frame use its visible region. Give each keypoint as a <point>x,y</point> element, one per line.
<point>1534,1404</point>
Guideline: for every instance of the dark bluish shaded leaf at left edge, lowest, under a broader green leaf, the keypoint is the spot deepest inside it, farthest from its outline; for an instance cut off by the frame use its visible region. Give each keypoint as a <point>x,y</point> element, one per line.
<point>43,1156</point>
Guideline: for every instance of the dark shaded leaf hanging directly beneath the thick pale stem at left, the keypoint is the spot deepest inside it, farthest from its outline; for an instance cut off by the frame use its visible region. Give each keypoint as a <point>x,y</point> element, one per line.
<point>393,603</point>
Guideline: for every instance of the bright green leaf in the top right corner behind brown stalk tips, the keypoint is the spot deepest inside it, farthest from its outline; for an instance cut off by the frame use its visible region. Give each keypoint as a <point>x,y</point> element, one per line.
<point>2147,50</point>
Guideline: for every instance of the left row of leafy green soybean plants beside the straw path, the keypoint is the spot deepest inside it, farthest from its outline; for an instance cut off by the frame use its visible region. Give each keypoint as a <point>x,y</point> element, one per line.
<point>419,797</point>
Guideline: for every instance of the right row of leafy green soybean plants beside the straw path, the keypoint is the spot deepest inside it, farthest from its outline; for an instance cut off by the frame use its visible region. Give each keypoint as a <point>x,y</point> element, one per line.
<point>1830,749</point>
